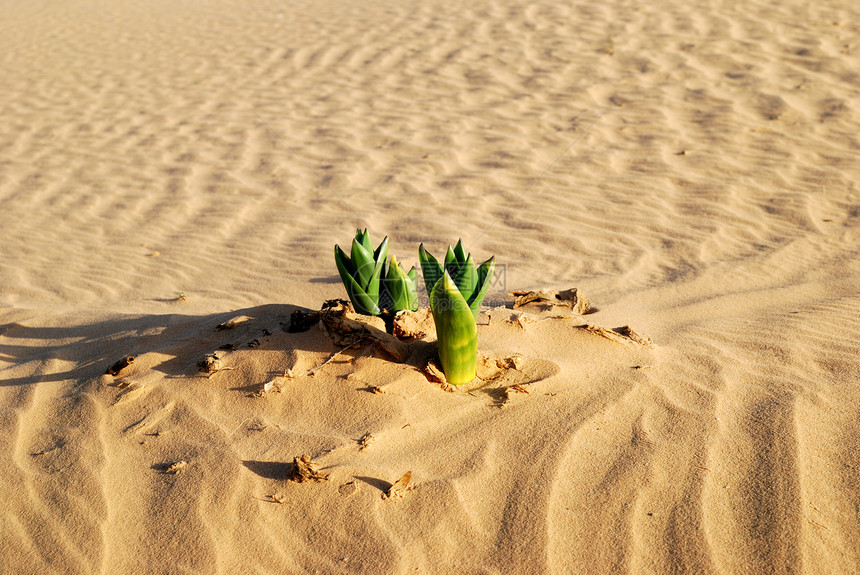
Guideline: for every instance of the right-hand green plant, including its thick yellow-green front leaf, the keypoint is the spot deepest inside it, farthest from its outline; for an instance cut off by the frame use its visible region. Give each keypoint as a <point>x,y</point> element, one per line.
<point>456,290</point>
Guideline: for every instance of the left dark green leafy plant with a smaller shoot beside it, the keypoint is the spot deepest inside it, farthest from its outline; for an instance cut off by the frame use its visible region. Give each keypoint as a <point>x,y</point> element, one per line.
<point>374,287</point>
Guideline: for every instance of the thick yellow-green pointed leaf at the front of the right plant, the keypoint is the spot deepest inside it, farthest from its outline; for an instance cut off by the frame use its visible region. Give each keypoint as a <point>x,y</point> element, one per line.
<point>456,331</point>
